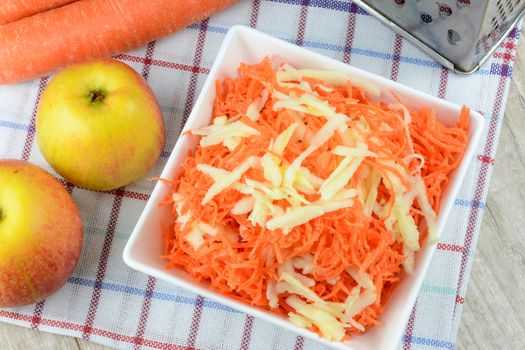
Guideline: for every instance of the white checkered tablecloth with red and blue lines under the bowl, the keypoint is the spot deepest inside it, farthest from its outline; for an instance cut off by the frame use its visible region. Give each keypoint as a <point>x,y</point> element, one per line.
<point>106,302</point>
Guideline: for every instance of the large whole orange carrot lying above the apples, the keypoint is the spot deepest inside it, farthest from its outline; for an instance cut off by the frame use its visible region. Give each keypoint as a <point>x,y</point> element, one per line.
<point>90,29</point>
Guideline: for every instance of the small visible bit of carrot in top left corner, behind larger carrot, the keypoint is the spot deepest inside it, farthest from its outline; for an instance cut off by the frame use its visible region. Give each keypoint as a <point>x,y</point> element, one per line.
<point>12,10</point>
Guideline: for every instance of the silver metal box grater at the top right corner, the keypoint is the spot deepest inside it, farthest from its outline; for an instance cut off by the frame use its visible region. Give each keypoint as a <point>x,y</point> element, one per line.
<point>460,34</point>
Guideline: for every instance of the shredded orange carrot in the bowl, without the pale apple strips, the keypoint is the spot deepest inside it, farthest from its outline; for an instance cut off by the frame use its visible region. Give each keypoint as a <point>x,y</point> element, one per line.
<point>244,260</point>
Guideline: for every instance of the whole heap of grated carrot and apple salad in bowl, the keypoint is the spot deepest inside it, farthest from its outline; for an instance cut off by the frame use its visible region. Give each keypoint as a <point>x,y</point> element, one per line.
<point>305,198</point>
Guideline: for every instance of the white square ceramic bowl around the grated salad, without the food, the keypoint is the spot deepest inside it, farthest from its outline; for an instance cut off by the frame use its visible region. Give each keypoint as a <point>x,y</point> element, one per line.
<point>243,44</point>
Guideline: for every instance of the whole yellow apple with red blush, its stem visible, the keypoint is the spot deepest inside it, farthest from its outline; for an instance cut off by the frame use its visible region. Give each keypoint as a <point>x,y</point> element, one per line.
<point>99,125</point>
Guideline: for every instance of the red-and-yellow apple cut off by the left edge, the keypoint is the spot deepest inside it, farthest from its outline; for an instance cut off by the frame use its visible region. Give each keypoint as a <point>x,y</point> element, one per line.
<point>40,233</point>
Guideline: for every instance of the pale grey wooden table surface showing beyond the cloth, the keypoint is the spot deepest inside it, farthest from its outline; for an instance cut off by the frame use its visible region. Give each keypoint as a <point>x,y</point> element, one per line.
<point>494,310</point>
